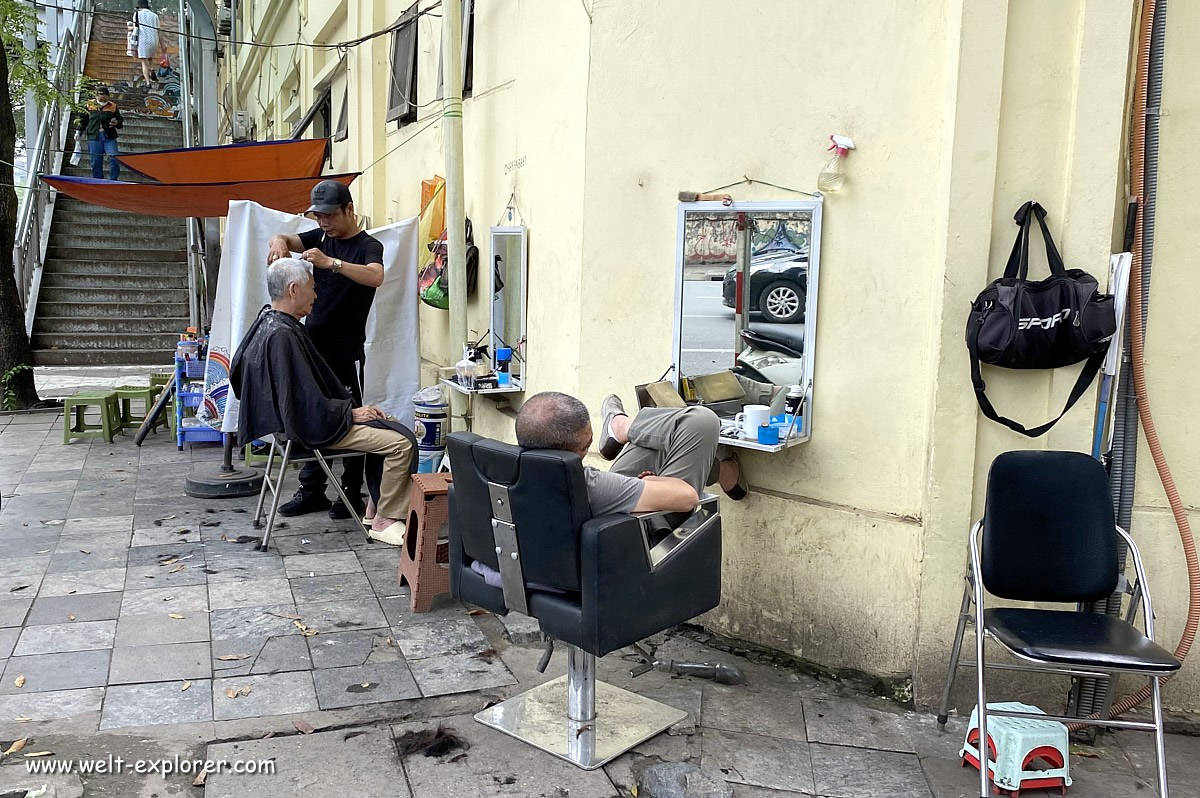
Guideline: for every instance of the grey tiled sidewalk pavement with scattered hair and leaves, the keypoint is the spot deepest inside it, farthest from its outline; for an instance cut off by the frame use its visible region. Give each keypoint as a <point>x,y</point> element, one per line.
<point>135,613</point>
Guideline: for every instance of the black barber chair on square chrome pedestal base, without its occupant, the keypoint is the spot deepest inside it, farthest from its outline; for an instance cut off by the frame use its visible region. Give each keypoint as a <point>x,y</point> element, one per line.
<point>597,585</point>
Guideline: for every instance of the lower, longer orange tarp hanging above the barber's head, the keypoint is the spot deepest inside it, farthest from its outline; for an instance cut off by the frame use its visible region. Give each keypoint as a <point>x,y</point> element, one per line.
<point>196,199</point>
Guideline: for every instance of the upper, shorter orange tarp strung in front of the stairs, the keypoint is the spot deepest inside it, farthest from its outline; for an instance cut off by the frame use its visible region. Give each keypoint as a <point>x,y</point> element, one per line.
<point>232,163</point>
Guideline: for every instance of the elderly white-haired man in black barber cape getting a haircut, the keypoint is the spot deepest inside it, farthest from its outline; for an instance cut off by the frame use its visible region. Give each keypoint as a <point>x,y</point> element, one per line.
<point>286,387</point>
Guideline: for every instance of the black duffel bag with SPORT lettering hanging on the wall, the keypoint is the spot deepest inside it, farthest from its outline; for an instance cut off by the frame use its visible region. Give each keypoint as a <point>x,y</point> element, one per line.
<point>1017,323</point>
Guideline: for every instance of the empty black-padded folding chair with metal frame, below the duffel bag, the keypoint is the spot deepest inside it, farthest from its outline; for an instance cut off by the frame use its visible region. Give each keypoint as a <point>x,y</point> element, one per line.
<point>1049,537</point>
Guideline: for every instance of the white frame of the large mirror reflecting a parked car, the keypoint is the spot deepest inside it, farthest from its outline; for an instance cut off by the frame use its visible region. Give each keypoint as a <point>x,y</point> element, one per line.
<point>813,207</point>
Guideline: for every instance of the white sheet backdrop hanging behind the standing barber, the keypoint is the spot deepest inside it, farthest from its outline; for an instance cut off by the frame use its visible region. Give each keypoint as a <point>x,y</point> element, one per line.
<point>393,370</point>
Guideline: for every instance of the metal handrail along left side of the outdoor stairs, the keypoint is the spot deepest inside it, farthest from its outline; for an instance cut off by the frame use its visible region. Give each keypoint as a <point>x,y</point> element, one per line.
<point>45,157</point>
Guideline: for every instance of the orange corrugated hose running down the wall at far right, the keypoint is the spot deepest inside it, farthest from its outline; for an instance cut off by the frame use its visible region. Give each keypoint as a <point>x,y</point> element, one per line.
<point>1139,370</point>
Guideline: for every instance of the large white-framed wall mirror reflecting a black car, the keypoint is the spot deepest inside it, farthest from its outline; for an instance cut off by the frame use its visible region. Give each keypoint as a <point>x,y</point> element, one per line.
<point>746,315</point>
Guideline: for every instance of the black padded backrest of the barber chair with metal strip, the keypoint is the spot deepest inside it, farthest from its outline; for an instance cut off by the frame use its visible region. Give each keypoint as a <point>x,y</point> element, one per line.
<point>549,502</point>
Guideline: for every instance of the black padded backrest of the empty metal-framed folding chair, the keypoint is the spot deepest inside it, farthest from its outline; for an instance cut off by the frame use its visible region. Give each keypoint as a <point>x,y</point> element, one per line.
<point>1048,529</point>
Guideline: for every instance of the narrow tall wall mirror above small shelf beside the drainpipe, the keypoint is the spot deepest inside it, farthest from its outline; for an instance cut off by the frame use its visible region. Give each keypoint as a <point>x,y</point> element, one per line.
<point>509,251</point>
